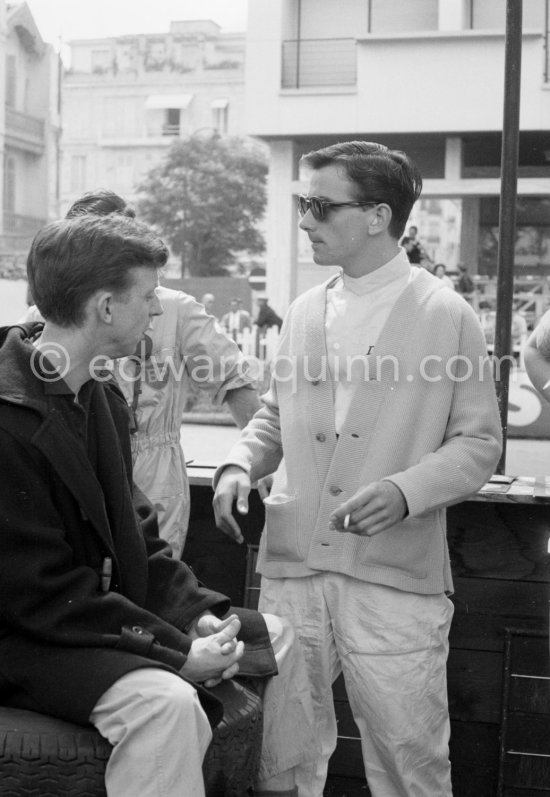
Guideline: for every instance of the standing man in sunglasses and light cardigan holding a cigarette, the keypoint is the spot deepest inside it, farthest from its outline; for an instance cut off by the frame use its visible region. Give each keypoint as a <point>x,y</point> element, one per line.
<point>383,405</point>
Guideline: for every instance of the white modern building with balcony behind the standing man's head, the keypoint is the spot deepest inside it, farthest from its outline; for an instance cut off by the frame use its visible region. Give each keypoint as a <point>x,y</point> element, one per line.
<point>425,76</point>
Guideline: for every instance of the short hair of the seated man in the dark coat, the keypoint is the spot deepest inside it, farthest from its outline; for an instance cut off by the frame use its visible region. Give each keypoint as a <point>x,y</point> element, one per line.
<point>71,259</point>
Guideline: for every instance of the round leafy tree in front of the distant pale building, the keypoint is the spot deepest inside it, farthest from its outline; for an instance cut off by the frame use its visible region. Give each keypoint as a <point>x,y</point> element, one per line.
<point>206,198</point>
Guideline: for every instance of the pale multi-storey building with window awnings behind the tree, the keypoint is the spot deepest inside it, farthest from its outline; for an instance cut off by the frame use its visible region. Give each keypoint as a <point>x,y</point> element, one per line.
<point>127,98</point>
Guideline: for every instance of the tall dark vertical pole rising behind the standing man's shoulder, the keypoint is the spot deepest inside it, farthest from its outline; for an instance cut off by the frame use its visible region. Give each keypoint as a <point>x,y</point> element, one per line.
<point>507,213</point>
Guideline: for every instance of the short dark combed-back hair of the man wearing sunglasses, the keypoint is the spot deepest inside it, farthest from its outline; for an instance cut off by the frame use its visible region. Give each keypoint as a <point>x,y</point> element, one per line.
<point>381,174</point>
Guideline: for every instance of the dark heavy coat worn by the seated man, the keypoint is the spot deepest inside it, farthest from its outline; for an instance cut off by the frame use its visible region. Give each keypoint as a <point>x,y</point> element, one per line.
<point>63,639</point>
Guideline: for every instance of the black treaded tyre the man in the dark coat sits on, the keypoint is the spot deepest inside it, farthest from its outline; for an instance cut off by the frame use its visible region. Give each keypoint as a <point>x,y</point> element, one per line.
<point>42,756</point>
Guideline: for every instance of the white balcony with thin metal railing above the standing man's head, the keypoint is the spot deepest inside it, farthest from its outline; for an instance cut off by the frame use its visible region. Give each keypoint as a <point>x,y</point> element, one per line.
<point>349,86</point>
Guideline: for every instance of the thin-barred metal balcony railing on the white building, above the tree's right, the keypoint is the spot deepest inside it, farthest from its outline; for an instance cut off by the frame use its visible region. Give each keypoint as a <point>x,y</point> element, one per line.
<point>319,62</point>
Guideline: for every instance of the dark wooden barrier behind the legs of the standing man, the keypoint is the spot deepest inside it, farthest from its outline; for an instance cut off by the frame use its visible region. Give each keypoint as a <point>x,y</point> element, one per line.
<point>501,568</point>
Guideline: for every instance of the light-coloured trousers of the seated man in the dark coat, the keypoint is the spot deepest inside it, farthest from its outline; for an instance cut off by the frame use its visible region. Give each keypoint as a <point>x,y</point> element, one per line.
<point>160,733</point>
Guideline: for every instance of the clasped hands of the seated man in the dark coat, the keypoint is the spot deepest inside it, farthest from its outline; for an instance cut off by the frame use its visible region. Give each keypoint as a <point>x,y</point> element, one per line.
<point>214,657</point>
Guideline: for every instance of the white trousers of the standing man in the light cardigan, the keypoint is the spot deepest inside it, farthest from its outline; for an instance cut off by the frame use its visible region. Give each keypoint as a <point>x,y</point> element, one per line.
<point>392,648</point>
